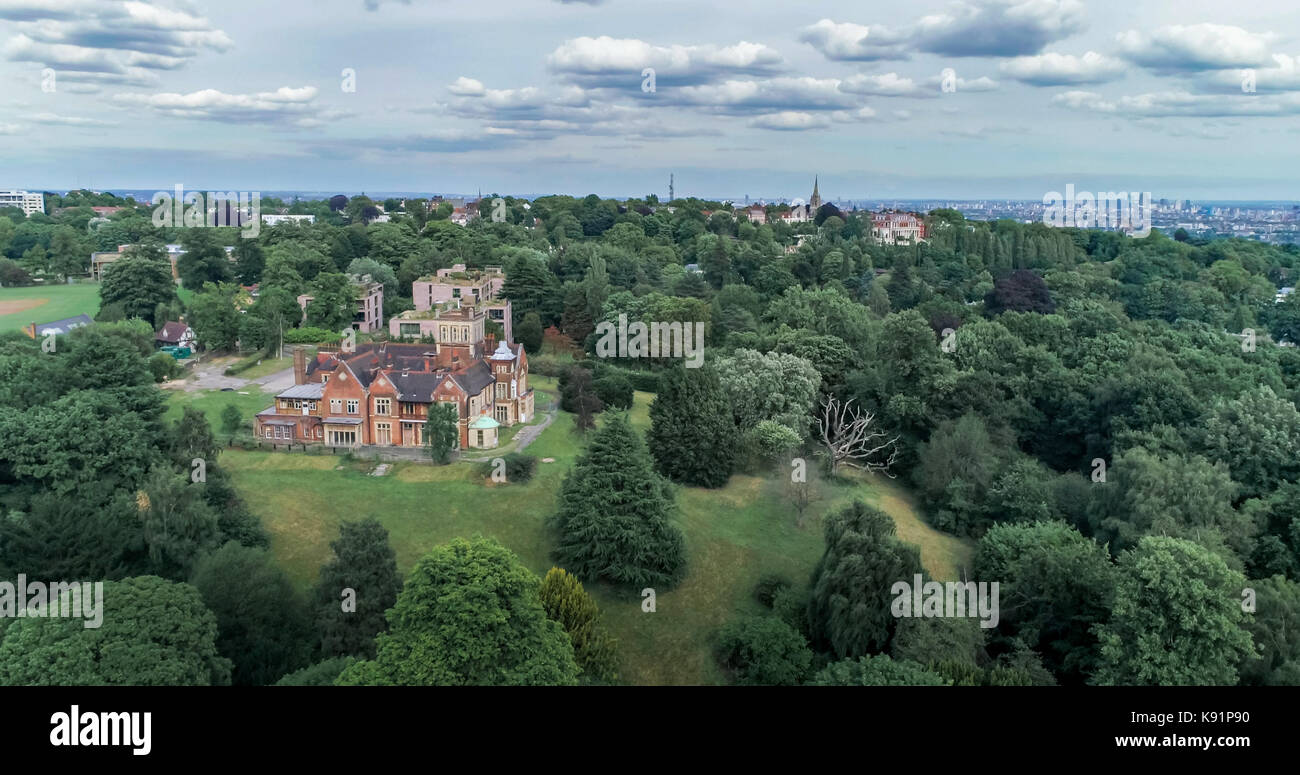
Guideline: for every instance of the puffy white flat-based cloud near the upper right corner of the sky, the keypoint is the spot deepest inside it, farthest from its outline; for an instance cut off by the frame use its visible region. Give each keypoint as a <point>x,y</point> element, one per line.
<point>1195,47</point>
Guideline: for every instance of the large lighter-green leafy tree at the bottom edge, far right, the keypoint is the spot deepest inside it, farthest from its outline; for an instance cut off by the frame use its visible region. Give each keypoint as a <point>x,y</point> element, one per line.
<point>1177,618</point>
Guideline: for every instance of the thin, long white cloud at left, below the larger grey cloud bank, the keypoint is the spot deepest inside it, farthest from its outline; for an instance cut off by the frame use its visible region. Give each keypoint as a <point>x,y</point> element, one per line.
<point>284,106</point>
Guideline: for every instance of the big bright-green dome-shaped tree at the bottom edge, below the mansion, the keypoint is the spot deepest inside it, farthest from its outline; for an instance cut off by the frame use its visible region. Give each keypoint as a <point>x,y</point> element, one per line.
<point>470,614</point>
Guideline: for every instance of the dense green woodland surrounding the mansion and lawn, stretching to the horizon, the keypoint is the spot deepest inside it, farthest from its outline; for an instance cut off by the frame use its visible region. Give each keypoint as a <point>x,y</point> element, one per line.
<point>1113,421</point>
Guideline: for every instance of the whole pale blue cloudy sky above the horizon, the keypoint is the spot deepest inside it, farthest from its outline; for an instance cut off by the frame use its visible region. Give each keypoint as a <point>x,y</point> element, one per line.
<point>970,99</point>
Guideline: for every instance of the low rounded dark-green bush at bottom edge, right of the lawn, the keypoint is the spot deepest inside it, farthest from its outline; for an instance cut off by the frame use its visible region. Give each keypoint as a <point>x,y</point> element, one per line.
<point>764,652</point>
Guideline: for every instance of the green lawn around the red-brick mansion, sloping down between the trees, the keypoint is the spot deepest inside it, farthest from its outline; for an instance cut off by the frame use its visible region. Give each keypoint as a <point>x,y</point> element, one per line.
<point>734,535</point>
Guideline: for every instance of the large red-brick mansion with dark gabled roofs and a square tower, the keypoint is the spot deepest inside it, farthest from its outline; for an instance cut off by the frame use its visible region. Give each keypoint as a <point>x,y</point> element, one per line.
<point>382,393</point>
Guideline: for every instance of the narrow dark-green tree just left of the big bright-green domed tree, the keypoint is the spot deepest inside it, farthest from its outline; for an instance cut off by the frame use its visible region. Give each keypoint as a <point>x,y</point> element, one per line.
<point>356,588</point>
